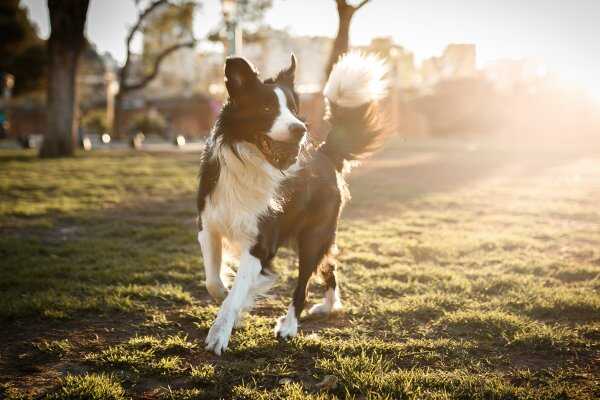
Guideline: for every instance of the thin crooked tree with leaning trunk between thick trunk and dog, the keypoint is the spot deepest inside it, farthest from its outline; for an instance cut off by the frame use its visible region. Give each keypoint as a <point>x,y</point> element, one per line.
<point>174,17</point>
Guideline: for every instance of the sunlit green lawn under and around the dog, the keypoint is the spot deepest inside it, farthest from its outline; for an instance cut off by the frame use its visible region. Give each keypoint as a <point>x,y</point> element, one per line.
<point>467,273</point>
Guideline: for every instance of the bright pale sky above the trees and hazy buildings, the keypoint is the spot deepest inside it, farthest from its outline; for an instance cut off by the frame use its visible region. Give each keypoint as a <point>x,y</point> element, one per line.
<point>562,34</point>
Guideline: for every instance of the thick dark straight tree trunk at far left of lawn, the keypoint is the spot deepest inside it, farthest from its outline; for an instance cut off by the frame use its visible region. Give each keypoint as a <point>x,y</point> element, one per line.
<point>67,24</point>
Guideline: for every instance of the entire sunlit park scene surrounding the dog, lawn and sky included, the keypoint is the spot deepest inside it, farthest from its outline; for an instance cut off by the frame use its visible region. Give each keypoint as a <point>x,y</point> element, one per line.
<point>469,254</point>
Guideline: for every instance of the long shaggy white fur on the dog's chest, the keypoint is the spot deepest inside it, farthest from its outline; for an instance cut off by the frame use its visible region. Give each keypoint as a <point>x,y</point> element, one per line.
<point>246,189</point>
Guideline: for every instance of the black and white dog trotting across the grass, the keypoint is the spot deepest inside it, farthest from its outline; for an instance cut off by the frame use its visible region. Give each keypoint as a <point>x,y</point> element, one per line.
<point>263,184</point>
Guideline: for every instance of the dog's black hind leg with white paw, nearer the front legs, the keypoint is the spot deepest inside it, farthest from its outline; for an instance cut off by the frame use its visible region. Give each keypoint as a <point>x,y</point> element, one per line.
<point>313,245</point>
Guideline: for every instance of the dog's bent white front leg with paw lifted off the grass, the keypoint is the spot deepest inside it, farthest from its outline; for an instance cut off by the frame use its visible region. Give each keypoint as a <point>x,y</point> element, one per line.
<point>212,248</point>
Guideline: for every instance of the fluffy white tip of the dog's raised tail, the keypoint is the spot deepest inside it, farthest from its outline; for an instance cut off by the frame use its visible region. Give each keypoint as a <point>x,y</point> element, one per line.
<point>356,79</point>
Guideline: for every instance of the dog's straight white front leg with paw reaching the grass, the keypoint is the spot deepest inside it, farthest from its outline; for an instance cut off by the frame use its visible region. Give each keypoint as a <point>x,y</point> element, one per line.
<point>220,331</point>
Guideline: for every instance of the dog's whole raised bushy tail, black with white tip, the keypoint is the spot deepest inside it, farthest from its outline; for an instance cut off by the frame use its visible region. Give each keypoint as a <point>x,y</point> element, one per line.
<point>353,90</point>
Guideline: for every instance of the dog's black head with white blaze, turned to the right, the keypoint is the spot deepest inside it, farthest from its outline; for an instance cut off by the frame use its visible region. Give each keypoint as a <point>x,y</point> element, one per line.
<point>264,113</point>
